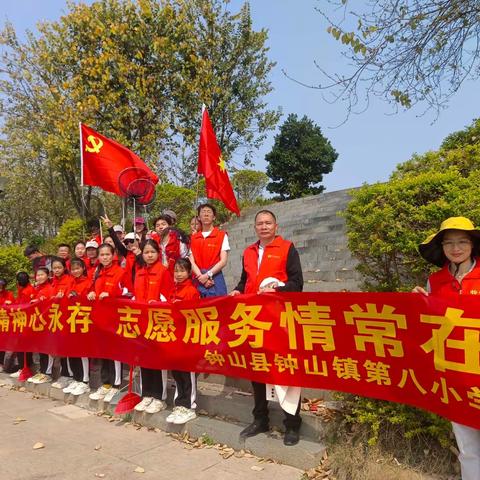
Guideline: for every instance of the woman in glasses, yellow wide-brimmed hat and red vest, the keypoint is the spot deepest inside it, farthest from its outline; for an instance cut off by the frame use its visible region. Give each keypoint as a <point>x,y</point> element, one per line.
<point>456,249</point>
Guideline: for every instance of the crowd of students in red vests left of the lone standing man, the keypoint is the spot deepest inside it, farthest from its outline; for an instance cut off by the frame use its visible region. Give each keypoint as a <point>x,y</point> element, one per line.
<point>148,266</point>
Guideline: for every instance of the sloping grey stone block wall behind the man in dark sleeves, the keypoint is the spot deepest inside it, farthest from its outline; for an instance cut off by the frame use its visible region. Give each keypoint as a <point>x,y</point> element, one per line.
<point>318,232</point>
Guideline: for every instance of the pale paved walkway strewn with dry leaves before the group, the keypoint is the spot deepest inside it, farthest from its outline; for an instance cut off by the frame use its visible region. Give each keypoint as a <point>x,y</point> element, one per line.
<point>81,445</point>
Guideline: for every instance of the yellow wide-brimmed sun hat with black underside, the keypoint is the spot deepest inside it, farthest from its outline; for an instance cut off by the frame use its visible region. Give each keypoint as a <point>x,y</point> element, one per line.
<point>431,248</point>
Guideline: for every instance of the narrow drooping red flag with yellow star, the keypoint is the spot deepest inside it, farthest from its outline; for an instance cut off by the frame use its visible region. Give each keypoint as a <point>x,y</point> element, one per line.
<point>212,167</point>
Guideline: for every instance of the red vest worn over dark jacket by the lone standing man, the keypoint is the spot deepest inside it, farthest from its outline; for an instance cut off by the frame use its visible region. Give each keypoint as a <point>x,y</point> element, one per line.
<point>274,263</point>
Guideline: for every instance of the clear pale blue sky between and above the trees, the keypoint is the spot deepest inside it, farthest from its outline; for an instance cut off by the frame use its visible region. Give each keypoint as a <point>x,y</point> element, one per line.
<point>370,145</point>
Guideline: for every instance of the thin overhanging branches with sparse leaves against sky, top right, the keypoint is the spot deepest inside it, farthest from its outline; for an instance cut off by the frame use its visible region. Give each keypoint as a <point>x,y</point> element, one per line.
<point>407,52</point>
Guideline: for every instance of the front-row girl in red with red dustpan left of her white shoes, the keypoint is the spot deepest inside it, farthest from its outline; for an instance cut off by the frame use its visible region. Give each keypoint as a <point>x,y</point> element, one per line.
<point>153,283</point>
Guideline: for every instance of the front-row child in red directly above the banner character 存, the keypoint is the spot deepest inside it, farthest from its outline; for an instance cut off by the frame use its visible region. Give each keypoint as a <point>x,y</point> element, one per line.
<point>79,366</point>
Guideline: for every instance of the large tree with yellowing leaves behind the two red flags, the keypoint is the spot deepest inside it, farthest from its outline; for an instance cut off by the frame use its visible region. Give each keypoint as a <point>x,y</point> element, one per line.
<point>138,71</point>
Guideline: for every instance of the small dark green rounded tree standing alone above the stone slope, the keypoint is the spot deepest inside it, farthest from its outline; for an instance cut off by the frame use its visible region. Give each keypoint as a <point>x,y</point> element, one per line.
<point>300,157</point>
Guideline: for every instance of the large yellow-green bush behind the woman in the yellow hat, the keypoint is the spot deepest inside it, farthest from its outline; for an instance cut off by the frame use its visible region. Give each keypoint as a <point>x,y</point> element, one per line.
<point>387,221</point>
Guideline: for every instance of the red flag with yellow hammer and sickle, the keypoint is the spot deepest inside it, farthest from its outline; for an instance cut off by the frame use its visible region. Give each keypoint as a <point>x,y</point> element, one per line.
<point>103,160</point>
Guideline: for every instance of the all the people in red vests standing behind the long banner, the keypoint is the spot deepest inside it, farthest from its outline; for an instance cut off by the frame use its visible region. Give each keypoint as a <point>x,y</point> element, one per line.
<point>181,267</point>
